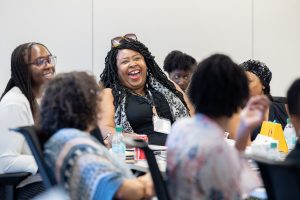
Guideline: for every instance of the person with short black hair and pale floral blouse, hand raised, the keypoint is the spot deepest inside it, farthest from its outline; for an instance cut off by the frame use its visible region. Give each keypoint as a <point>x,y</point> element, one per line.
<point>200,164</point>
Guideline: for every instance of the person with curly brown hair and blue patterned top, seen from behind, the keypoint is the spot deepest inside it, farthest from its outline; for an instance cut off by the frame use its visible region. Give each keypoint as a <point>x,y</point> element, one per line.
<point>85,168</point>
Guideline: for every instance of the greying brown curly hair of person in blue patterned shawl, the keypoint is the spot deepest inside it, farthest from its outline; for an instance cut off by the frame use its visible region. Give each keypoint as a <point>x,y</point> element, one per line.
<point>70,101</point>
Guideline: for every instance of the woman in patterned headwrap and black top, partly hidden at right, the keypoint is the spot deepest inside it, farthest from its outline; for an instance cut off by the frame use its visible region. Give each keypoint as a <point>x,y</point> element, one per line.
<point>259,78</point>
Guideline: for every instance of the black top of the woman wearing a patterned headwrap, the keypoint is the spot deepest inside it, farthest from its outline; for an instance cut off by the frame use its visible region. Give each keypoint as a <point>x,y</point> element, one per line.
<point>277,112</point>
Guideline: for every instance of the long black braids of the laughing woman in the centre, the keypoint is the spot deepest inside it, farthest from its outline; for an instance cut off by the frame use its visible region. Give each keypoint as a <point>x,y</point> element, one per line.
<point>109,76</point>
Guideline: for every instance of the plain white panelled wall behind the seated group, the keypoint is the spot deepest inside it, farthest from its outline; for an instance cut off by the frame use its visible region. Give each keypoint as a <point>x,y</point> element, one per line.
<point>79,31</point>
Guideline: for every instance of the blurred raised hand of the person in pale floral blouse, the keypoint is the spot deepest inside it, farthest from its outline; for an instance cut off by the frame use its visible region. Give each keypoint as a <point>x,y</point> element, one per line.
<point>253,114</point>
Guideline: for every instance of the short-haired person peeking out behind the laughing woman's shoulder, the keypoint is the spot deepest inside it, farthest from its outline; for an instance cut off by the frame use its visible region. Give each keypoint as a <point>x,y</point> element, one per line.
<point>180,67</point>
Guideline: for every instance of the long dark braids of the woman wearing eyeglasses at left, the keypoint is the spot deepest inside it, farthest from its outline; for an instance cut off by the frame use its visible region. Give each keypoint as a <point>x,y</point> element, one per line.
<point>21,76</point>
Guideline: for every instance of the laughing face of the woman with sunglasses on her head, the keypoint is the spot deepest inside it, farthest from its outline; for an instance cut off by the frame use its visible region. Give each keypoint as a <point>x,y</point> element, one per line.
<point>132,70</point>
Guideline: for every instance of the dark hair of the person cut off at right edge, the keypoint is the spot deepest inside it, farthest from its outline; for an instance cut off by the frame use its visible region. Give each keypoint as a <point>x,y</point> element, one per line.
<point>293,98</point>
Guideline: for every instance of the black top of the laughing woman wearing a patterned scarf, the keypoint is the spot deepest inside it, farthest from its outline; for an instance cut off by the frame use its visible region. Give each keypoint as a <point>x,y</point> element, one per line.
<point>139,114</point>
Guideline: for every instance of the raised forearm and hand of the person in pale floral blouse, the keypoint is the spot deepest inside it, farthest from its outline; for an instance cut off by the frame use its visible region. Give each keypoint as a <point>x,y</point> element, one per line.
<point>251,116</point>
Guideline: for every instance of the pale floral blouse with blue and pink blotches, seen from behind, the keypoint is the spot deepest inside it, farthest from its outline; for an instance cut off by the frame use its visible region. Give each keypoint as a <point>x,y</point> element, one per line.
<point>201,165</point>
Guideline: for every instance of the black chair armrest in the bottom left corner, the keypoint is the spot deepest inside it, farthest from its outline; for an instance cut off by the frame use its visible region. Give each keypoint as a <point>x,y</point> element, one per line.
<point>9,181</point>
